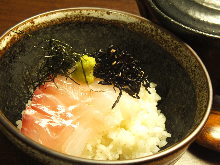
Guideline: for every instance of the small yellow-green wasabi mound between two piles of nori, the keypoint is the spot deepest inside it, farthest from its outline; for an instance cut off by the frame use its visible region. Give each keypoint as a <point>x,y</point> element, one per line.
<point>83,72</point>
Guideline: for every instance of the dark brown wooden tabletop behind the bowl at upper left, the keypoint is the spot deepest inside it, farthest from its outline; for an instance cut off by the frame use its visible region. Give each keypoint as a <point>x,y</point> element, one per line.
<point>12,12</point>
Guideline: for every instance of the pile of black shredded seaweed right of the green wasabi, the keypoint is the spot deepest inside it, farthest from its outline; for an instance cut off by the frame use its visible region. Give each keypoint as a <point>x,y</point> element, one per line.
<point>119,68</point>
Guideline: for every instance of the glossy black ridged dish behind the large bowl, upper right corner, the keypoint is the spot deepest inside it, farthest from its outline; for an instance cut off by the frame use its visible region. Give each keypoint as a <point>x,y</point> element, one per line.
<point>187,18</point>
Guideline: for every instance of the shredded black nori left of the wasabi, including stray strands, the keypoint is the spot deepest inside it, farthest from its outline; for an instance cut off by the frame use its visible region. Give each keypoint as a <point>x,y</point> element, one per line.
<point>58,58</point>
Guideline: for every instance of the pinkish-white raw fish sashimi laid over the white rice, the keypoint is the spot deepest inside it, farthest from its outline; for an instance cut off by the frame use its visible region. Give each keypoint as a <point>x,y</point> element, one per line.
<point>66,116</point>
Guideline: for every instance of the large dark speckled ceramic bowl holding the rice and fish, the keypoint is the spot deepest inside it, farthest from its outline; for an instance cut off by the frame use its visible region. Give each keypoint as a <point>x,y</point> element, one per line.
<point>182,80</point>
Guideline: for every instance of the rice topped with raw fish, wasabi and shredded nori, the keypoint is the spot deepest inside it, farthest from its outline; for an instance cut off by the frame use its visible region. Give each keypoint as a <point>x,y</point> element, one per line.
<point>97,106</point>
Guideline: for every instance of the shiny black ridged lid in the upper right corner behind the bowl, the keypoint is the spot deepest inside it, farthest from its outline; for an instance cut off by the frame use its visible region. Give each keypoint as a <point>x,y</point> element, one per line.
<point>197,16</point>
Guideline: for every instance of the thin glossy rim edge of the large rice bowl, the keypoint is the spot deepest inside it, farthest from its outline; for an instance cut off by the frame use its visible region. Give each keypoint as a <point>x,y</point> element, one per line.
<point>169,150</point>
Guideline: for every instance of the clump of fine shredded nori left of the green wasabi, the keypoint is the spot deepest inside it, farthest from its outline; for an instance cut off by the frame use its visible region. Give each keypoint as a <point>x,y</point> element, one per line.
<point>59,58</point>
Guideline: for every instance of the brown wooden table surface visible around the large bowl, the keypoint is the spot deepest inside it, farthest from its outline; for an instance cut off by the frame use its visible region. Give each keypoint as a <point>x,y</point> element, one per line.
<point>12,12</point>
